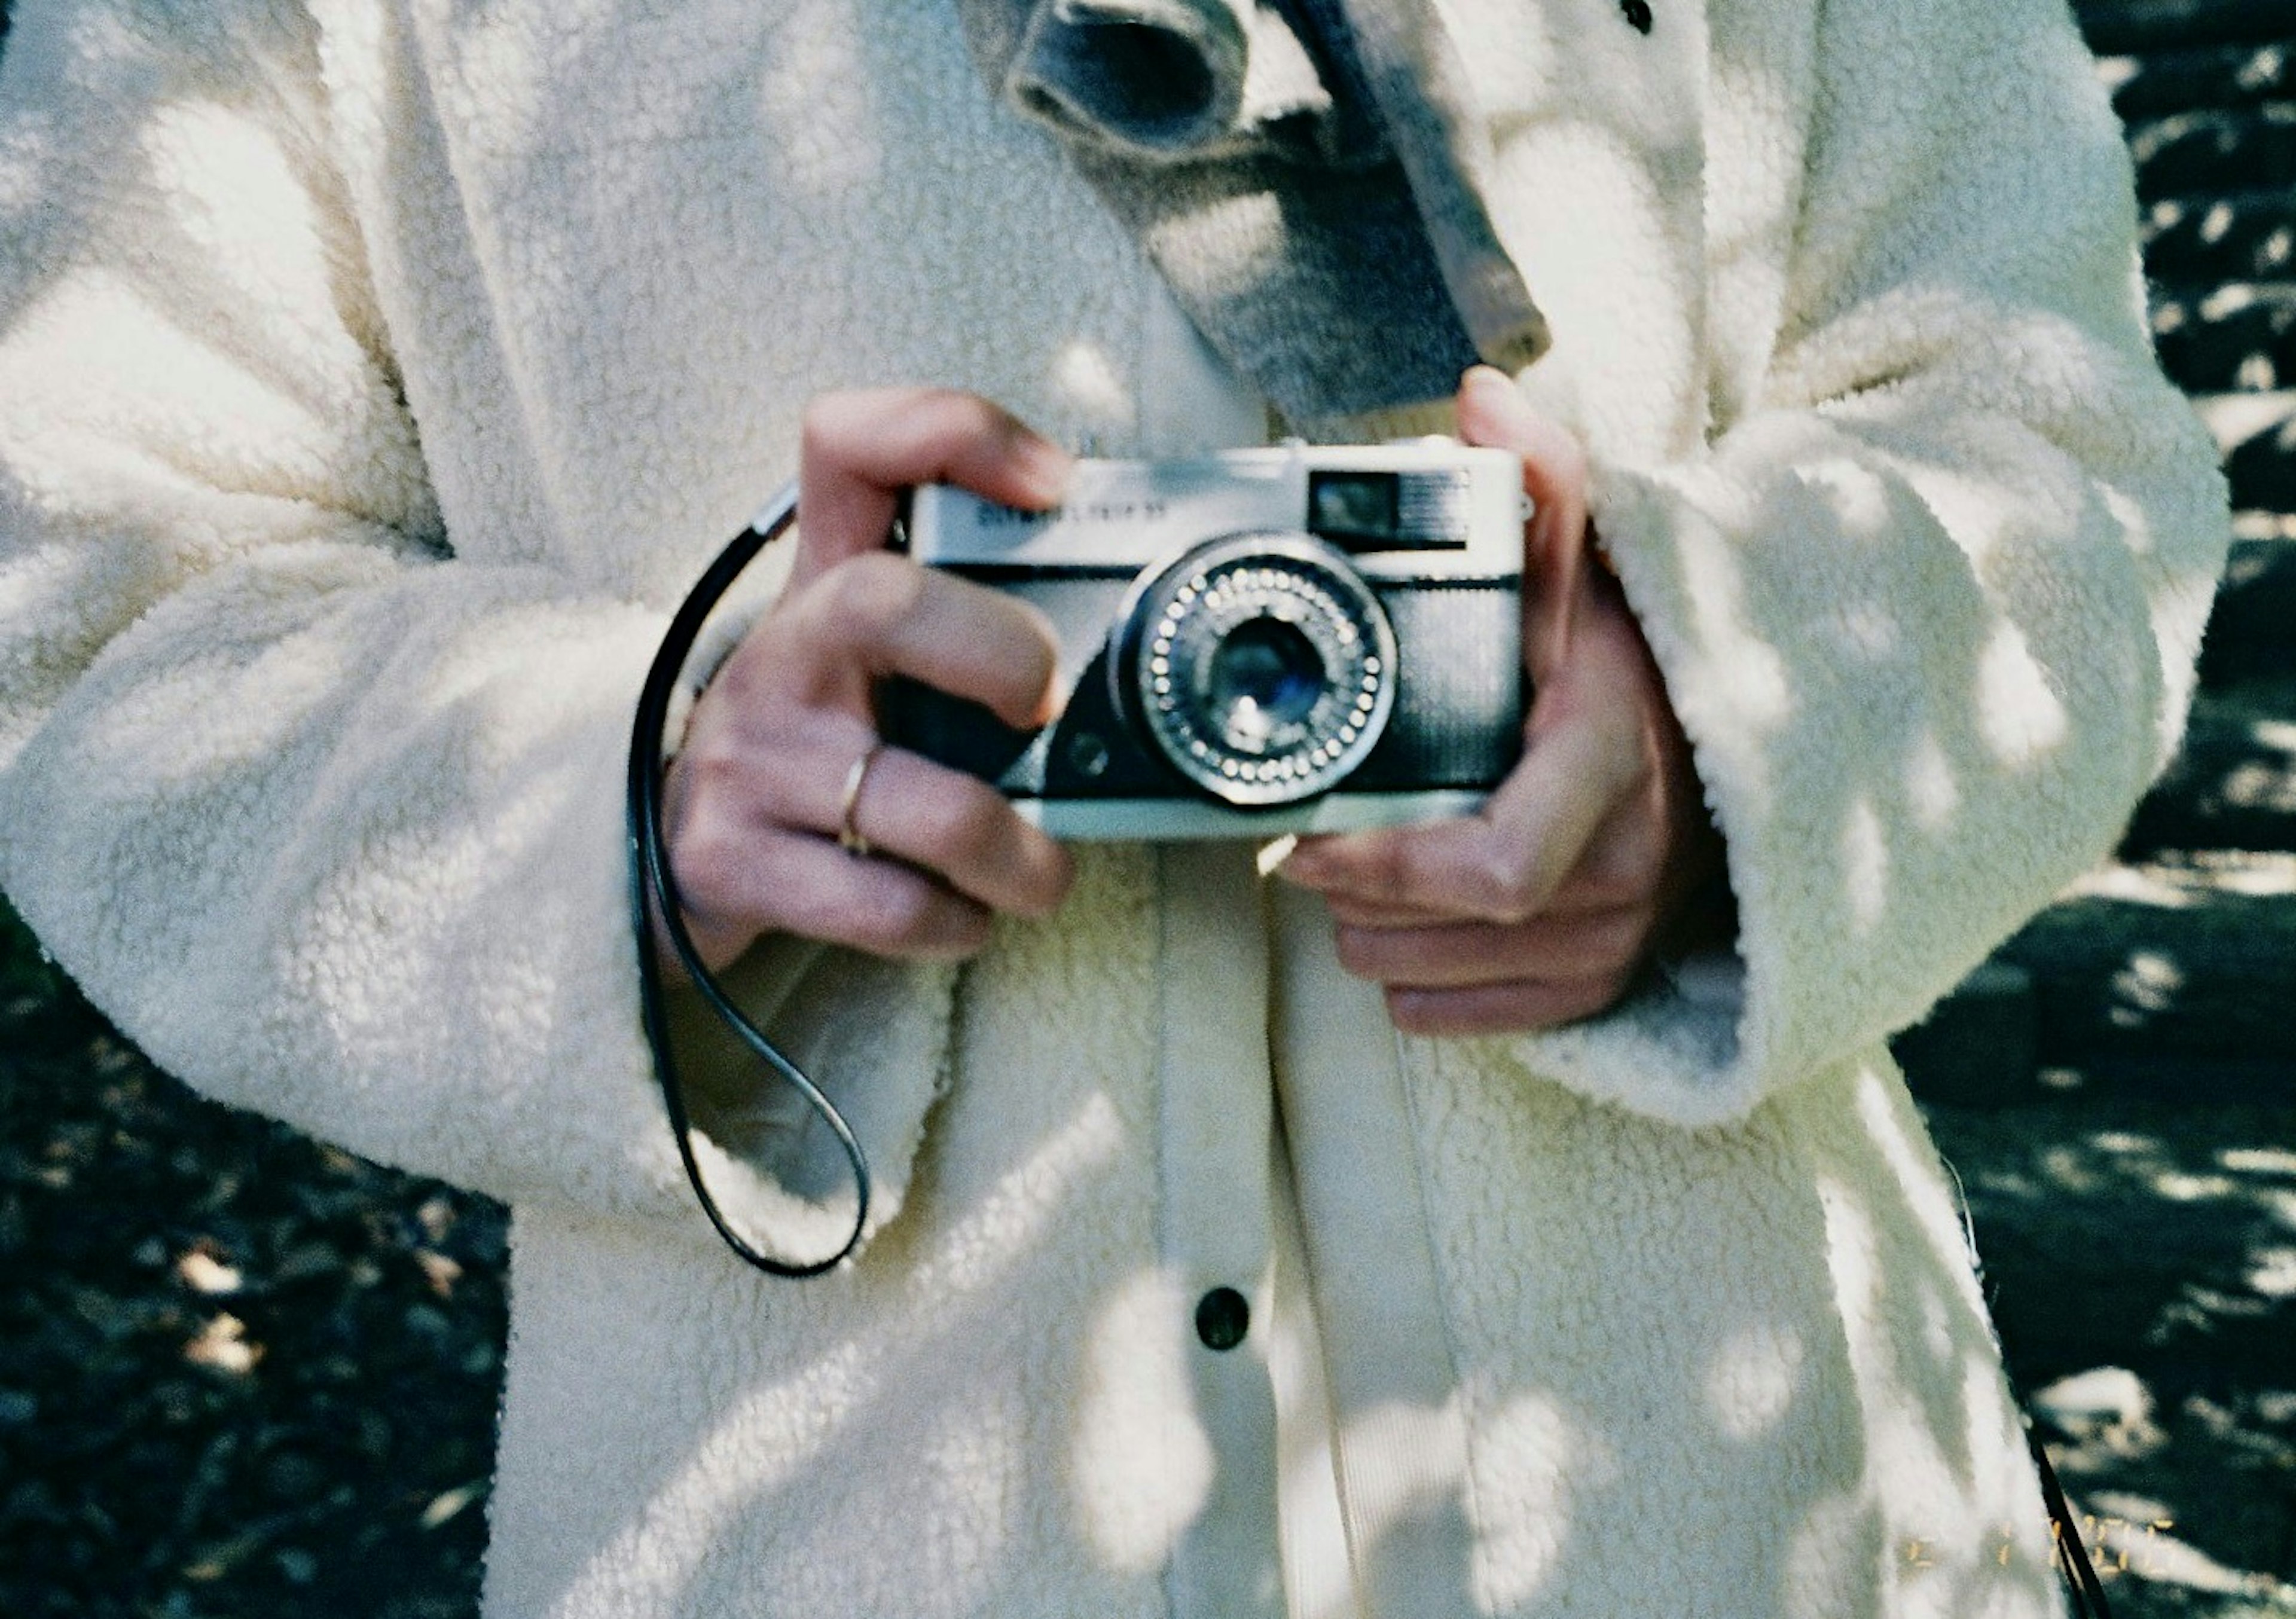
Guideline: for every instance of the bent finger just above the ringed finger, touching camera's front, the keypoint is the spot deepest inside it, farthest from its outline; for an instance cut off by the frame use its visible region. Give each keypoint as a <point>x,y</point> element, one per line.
<point>878,617</point>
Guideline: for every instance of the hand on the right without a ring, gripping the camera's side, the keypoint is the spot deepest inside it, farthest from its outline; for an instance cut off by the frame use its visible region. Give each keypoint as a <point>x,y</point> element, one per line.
<point>1546,904</point>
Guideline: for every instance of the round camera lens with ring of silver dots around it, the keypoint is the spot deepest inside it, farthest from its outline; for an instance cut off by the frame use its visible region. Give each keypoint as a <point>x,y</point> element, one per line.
<point>1259,665</point>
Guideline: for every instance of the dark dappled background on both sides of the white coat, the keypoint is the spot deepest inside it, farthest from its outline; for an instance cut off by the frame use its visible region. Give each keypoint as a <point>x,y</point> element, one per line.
<point>249,1374</point>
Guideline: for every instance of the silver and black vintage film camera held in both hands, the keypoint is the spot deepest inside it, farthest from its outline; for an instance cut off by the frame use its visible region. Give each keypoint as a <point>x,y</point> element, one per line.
<point>1259,642</point>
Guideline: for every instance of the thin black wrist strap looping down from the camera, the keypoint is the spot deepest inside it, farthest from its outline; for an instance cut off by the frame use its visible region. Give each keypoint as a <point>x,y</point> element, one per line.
<point>653,899</point>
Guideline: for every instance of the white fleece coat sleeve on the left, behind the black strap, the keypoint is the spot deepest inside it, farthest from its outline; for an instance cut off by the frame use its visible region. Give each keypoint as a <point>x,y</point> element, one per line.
<point>316,798</point>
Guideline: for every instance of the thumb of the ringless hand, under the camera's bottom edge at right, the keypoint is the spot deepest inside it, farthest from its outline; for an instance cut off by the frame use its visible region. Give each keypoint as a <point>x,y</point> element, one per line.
<point>1500,865</point>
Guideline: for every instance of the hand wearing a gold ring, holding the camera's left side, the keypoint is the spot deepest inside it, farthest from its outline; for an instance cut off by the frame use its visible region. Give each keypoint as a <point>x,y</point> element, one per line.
<point>757,791</point>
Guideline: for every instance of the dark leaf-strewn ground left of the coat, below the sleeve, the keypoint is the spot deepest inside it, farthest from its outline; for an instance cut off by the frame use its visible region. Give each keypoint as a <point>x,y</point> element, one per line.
<point>240,1374</point>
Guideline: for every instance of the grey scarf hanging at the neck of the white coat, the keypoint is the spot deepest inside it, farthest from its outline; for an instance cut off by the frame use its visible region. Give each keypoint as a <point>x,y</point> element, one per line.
<point>1308,183</point>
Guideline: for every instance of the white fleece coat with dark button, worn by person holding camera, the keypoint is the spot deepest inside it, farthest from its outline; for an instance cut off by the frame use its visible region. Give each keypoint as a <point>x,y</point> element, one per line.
<point>378,373</point>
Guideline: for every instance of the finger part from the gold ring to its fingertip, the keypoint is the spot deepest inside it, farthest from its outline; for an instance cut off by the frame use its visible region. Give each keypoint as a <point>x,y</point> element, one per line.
<point>961,830</point>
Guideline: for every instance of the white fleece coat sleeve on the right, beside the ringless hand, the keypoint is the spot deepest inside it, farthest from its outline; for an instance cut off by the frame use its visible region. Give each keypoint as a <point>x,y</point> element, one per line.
<point>1930,607</point>
